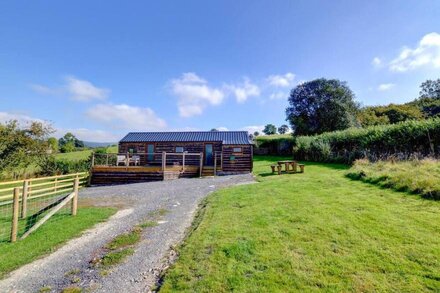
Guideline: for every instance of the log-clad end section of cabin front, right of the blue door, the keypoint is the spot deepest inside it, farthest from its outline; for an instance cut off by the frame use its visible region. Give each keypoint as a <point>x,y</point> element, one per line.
<point>242,162</point>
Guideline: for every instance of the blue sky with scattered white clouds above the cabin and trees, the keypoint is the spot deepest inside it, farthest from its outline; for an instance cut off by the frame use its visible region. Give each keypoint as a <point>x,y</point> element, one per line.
<point>103,68</point>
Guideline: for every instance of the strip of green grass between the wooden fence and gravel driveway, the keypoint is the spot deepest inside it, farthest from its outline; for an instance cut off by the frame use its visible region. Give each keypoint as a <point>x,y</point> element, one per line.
<point>49,237</point>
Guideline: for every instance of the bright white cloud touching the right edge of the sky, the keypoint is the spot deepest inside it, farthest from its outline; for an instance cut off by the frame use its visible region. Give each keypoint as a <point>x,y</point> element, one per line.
<point>427,53</point>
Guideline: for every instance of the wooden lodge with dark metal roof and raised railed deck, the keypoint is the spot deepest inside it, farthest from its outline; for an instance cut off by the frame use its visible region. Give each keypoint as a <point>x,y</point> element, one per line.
<point>151,156</point>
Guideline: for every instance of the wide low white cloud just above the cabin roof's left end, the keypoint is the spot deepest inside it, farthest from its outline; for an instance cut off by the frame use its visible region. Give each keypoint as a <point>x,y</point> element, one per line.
<point>123,116</point>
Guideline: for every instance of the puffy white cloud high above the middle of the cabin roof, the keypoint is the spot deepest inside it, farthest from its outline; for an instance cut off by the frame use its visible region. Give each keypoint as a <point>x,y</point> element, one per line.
<point>194,94</point>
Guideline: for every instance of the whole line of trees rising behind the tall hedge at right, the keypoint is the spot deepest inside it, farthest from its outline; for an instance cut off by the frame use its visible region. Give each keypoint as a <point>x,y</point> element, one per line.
<point>325,105</point>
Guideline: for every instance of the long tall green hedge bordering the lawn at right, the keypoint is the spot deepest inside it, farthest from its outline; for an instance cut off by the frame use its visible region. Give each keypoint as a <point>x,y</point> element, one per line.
<point>402,141</point>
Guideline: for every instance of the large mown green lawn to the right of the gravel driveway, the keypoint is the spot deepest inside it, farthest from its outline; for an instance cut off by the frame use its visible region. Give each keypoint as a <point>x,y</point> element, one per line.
<point>310,232</point>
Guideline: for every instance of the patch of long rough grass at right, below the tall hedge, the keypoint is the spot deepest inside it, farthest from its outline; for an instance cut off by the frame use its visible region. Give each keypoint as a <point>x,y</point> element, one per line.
<point>417,176</point>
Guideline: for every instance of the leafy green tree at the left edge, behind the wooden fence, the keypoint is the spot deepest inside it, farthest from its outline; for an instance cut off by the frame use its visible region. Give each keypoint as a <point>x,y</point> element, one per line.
<point>21,147</point>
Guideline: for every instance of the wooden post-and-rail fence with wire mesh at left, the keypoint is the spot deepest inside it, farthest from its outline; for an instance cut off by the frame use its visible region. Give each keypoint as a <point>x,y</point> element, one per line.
<point>24,203</point>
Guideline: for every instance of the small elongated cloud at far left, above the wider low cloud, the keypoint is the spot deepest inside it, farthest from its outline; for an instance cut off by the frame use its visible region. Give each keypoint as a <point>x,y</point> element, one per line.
<point>76,89</point>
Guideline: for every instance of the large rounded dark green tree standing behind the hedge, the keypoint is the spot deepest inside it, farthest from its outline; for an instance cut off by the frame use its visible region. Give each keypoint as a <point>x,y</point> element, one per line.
<point>321,105</point>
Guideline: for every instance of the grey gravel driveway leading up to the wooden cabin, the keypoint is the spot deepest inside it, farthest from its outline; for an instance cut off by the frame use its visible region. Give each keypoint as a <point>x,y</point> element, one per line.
<point>70,265</point>
